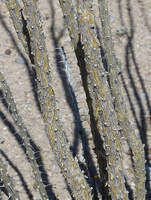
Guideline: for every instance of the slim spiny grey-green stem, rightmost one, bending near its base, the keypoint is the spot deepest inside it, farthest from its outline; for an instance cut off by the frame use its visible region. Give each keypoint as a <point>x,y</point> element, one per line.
<point>123,121</point>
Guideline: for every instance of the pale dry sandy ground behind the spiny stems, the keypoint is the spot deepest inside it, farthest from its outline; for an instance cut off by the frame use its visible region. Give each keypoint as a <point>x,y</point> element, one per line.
<point>131,31</point>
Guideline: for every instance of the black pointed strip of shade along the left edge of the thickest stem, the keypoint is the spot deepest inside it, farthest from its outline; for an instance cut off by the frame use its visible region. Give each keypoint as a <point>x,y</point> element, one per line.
<point>93,124</point>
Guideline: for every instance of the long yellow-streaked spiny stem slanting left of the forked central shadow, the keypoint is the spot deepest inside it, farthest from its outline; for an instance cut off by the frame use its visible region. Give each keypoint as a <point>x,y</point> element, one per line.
<point>58,140</point>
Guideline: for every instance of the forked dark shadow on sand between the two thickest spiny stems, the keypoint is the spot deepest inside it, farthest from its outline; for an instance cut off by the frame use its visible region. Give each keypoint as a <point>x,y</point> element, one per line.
<point>79,132</point>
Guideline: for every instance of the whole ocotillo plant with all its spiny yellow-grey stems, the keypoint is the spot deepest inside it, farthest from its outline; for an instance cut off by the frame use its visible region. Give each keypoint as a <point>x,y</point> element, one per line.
<point>108,119</point>
